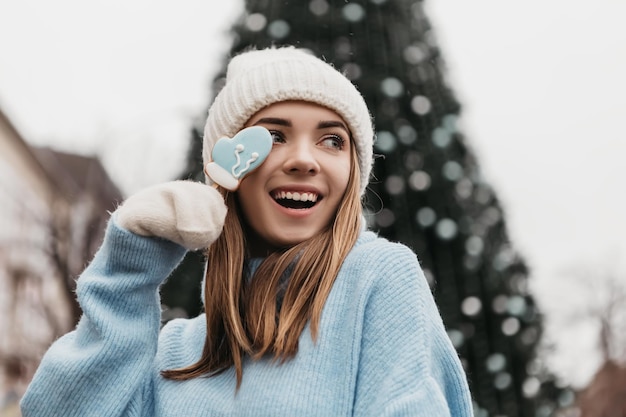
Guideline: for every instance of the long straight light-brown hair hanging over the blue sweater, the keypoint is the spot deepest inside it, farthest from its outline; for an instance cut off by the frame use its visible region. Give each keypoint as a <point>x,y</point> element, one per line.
<point>242,316</point>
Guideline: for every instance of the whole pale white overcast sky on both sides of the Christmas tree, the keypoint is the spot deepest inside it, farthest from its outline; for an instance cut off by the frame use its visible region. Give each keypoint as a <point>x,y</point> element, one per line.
<point>541,81</point>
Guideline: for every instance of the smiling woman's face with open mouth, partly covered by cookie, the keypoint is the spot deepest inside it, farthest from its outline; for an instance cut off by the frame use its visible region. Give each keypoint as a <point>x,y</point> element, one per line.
<point>295,193</point>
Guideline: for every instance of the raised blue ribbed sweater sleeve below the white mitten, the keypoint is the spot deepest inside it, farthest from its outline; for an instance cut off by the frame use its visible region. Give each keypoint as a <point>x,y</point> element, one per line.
<point>102,368</point>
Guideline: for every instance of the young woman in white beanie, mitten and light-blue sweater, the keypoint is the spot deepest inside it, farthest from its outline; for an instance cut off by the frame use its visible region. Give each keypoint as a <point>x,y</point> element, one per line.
<point>306,312</point>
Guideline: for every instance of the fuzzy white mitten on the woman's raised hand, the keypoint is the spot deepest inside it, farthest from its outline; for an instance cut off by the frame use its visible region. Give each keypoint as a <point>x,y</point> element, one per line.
<point>188,213</point>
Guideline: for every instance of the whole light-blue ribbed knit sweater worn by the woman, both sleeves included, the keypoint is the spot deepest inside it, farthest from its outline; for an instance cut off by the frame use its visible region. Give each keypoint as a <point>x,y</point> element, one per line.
<point>381,351</point>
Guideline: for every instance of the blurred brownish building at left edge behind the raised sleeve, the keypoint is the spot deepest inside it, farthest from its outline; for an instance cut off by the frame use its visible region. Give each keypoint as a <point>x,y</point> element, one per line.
<point>53,211</point>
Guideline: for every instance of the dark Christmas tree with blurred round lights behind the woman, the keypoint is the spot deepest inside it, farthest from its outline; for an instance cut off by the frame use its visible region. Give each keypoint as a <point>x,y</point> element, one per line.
<point>427,190</point>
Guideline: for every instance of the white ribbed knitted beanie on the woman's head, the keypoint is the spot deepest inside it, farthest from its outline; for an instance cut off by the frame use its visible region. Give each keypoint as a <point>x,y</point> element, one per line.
<point>258,78</point>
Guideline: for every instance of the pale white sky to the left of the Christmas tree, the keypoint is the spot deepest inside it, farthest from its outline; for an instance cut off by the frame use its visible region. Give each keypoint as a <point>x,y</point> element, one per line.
<point>123,79</point>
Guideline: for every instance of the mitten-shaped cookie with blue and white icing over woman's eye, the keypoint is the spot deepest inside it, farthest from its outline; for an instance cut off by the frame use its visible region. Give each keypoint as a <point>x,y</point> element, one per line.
<point>235,158</point>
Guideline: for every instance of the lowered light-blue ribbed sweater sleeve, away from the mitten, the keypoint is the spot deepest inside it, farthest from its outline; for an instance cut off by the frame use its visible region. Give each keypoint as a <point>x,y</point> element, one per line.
<point>407,364</point>
